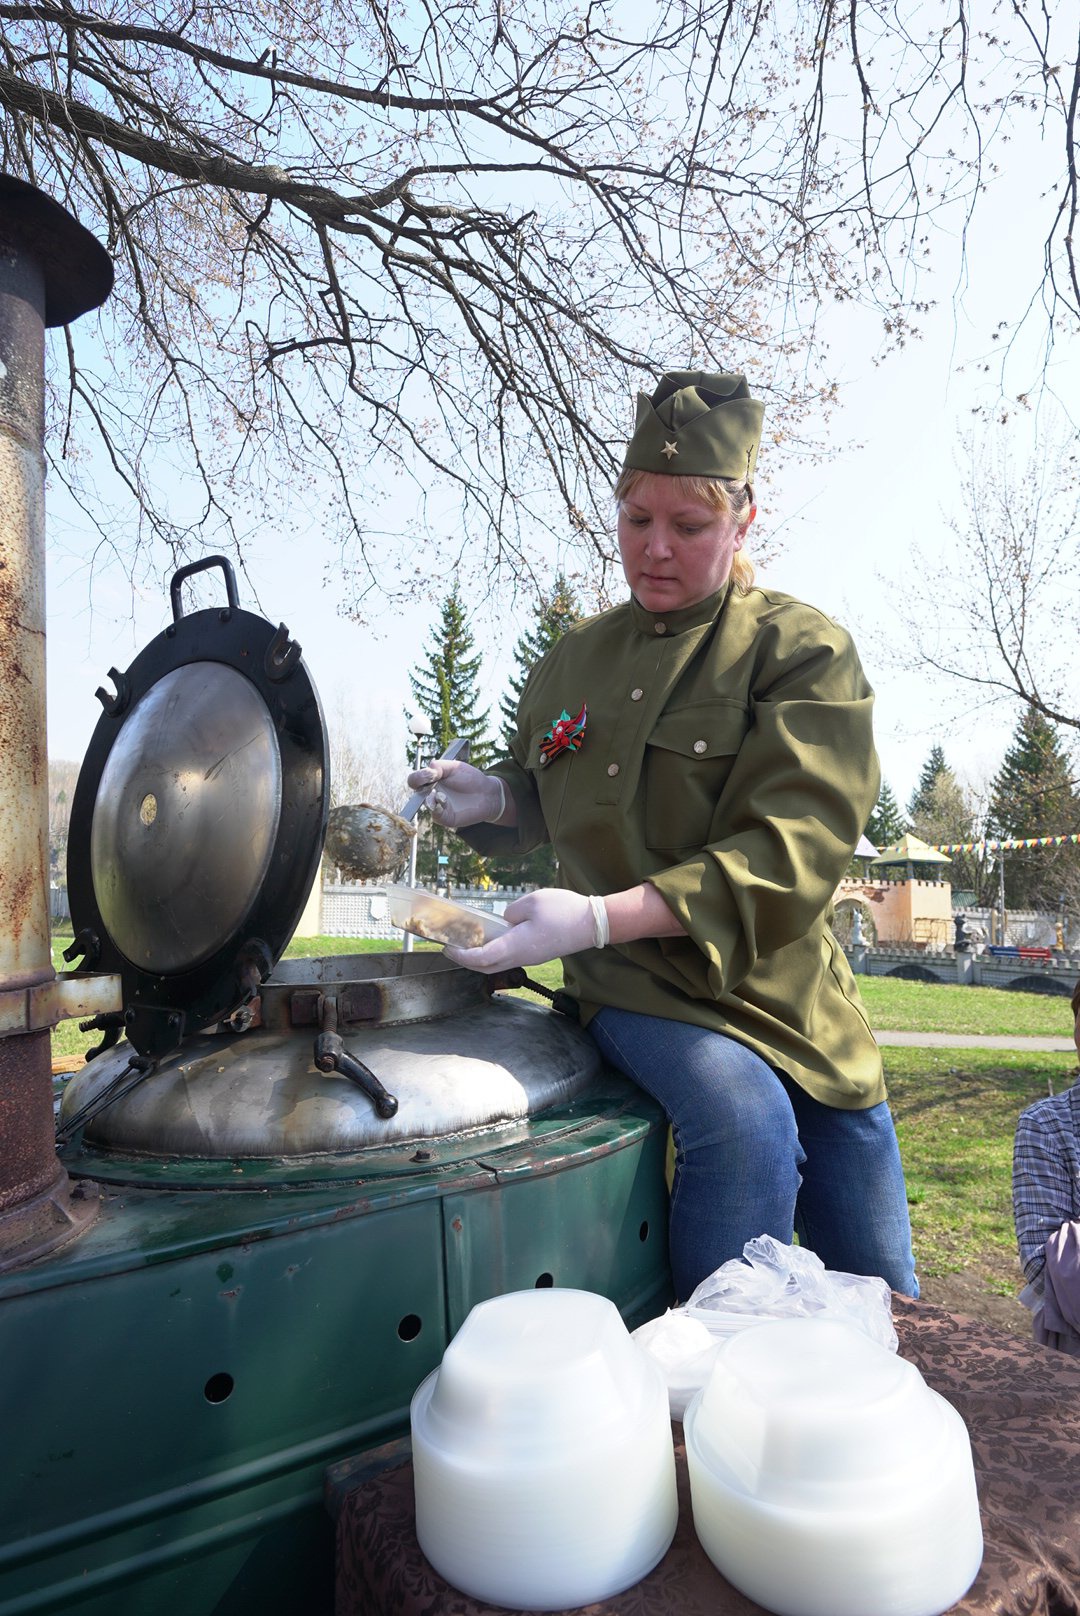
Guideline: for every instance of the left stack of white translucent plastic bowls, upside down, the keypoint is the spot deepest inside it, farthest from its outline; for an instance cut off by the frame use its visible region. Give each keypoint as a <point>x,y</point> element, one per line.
<point>542,1455</point>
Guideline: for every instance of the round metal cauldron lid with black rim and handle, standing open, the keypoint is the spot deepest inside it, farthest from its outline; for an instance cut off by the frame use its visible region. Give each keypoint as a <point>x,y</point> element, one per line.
<point>198,820</point>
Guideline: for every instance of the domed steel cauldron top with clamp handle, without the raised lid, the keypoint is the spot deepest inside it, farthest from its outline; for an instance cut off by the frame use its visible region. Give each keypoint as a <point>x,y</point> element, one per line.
<point>411,1029</point>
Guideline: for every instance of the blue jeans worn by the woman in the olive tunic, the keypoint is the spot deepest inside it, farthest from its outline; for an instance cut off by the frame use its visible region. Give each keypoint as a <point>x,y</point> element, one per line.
<point>757,1156</point>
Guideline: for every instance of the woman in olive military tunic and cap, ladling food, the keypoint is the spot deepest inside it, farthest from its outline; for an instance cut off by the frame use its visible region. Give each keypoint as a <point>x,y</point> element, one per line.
<point>702,762</point>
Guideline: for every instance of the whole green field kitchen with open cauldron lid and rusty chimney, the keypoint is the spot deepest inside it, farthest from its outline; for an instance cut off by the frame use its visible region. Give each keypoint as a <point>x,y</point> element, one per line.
<point>303,1177</point>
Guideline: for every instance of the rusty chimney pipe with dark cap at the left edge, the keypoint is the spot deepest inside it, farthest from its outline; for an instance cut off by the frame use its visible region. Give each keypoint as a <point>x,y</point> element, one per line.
<point>51,272</point>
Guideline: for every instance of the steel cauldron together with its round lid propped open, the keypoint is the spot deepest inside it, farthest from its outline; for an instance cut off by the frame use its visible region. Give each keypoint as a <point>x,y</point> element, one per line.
<point>196,833</point>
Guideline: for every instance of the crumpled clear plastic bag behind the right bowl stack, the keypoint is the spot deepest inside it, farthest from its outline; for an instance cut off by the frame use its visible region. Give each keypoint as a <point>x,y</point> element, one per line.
<point>769,1282</point>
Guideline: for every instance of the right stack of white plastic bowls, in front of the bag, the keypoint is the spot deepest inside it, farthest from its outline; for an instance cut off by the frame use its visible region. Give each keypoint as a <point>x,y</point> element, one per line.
<point>829,1479</point>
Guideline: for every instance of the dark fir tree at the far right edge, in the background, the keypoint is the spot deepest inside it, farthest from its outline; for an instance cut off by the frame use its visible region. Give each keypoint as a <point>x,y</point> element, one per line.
<point>1034,794</point>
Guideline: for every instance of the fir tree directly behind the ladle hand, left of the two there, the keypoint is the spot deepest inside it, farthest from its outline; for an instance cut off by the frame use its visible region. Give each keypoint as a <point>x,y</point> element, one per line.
<point>445,691</point>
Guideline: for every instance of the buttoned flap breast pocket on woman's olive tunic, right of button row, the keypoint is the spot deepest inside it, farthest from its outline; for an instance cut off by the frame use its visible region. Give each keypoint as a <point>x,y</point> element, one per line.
<point>688,760</point>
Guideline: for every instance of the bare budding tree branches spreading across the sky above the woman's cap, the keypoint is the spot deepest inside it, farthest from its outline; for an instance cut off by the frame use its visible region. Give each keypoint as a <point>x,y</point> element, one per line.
<point>442,243</point>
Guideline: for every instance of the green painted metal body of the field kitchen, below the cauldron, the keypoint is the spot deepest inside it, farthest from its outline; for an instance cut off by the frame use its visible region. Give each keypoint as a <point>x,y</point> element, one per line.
<point>175,1386</point>
